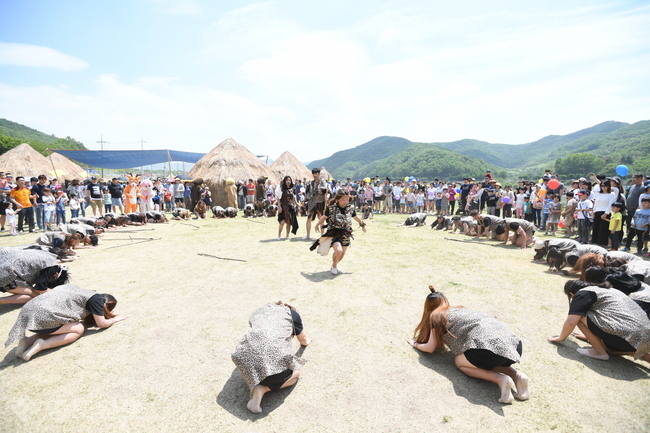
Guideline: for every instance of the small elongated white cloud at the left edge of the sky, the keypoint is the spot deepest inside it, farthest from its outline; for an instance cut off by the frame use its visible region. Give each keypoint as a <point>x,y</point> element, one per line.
<point>37,56</point>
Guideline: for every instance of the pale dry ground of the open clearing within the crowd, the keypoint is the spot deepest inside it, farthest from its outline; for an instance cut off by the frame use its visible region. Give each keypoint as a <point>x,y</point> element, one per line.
<point>168,367</point>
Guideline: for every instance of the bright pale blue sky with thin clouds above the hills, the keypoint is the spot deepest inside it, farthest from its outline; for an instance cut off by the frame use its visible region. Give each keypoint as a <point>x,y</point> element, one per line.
<point>316,77</point>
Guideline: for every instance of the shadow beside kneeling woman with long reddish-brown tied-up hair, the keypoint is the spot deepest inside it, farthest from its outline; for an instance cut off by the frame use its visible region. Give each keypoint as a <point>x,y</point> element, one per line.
<point>475,391</point>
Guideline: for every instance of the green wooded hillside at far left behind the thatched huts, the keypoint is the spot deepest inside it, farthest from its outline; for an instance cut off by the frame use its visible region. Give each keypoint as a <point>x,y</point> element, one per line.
<point>12,134</point>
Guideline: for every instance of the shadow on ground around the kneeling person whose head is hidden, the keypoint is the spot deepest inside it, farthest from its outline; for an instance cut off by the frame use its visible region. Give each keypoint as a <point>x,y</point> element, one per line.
<point>235,395</point>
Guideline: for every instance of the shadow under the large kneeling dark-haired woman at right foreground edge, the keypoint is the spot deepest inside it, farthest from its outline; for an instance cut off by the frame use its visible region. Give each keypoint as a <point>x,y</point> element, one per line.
<point>617,367</point>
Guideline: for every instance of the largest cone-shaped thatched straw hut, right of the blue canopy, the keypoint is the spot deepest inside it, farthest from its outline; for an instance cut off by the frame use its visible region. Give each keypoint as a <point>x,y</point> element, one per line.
<point>229,160</point>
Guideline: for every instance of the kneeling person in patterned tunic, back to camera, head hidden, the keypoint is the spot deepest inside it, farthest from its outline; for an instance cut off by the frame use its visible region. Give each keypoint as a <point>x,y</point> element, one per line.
<point>265,355</point>
